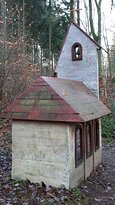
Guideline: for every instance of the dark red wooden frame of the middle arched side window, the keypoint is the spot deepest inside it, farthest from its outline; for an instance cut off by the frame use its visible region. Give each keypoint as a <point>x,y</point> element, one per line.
<point>88,155</point>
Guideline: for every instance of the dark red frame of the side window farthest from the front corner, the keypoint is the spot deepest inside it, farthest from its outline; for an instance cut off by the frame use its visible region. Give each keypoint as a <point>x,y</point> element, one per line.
<point>97,134</point>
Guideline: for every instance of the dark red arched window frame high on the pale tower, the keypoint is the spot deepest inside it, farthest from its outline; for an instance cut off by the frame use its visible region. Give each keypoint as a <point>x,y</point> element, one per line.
<point>74,58</point>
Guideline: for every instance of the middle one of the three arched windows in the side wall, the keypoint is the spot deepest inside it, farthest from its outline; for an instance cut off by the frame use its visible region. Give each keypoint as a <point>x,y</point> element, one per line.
<point>88,140</point>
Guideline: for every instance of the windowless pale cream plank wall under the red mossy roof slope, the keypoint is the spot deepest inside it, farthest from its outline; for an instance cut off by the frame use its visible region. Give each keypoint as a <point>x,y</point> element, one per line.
<point>40,152</point>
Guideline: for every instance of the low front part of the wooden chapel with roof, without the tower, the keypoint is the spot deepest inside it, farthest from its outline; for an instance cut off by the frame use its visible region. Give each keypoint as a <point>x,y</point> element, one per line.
<point>55,132</point>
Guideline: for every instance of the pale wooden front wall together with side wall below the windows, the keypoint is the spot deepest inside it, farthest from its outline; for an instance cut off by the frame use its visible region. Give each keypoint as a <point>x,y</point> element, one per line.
<point>45,152</point>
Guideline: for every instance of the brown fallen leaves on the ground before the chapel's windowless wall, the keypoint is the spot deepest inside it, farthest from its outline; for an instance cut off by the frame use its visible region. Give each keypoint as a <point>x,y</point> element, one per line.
<point>18,192</point>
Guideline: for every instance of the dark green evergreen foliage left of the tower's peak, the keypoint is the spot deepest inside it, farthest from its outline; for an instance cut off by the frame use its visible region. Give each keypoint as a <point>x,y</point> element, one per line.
<point>37,14</point>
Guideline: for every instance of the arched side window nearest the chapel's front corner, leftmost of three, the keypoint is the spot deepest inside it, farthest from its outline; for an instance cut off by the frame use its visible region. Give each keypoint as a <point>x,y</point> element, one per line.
<point>78,146</point>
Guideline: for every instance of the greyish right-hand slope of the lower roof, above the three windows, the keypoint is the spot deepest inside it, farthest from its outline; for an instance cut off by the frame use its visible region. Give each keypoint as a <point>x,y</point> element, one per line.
<point>79,97</point>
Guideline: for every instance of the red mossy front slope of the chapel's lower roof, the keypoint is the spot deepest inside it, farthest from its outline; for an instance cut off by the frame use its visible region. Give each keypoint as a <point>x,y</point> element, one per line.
<point>41,102</point>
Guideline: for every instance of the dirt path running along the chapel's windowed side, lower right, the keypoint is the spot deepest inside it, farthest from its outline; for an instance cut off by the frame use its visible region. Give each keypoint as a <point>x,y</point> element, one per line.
<point>100,187</point>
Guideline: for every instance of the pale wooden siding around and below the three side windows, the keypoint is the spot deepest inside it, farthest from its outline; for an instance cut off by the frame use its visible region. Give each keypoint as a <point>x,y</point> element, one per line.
<point>86,167</point>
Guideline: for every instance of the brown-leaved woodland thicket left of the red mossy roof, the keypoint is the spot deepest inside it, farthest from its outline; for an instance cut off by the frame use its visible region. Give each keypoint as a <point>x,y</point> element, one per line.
<point>16,68</point>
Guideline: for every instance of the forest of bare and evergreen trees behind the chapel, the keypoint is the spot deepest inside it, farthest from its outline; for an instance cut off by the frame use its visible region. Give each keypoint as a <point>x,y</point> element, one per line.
<point>31,36</point>
